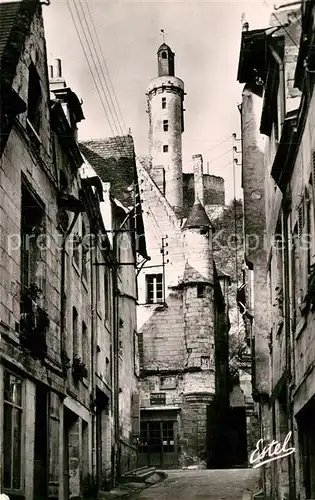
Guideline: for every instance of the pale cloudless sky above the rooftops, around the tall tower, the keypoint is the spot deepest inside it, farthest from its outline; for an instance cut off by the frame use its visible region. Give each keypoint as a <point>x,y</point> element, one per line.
<point>205,36</point>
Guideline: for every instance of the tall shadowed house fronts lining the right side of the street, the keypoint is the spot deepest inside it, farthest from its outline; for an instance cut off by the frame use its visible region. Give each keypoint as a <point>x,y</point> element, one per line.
<point>276,65</point>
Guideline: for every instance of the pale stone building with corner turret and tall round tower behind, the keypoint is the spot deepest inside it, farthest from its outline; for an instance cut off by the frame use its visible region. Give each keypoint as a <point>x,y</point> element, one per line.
<point>182,314</point>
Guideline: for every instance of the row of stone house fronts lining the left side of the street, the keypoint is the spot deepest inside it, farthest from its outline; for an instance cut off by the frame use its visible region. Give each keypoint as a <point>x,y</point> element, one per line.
<point>69,418</point>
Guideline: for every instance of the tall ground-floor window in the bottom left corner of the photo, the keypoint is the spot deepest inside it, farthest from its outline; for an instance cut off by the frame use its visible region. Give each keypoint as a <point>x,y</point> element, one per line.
<point>12,432</point>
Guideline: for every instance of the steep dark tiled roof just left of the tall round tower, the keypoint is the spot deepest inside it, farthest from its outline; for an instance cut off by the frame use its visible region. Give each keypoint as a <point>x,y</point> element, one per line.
<point>113,159</point>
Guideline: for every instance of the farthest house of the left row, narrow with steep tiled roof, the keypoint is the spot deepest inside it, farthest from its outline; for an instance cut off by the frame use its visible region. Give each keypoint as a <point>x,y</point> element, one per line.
<point>113,160</point>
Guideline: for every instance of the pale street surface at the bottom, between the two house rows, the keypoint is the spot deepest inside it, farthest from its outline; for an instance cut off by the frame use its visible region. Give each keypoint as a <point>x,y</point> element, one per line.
<point>231,484</point>
